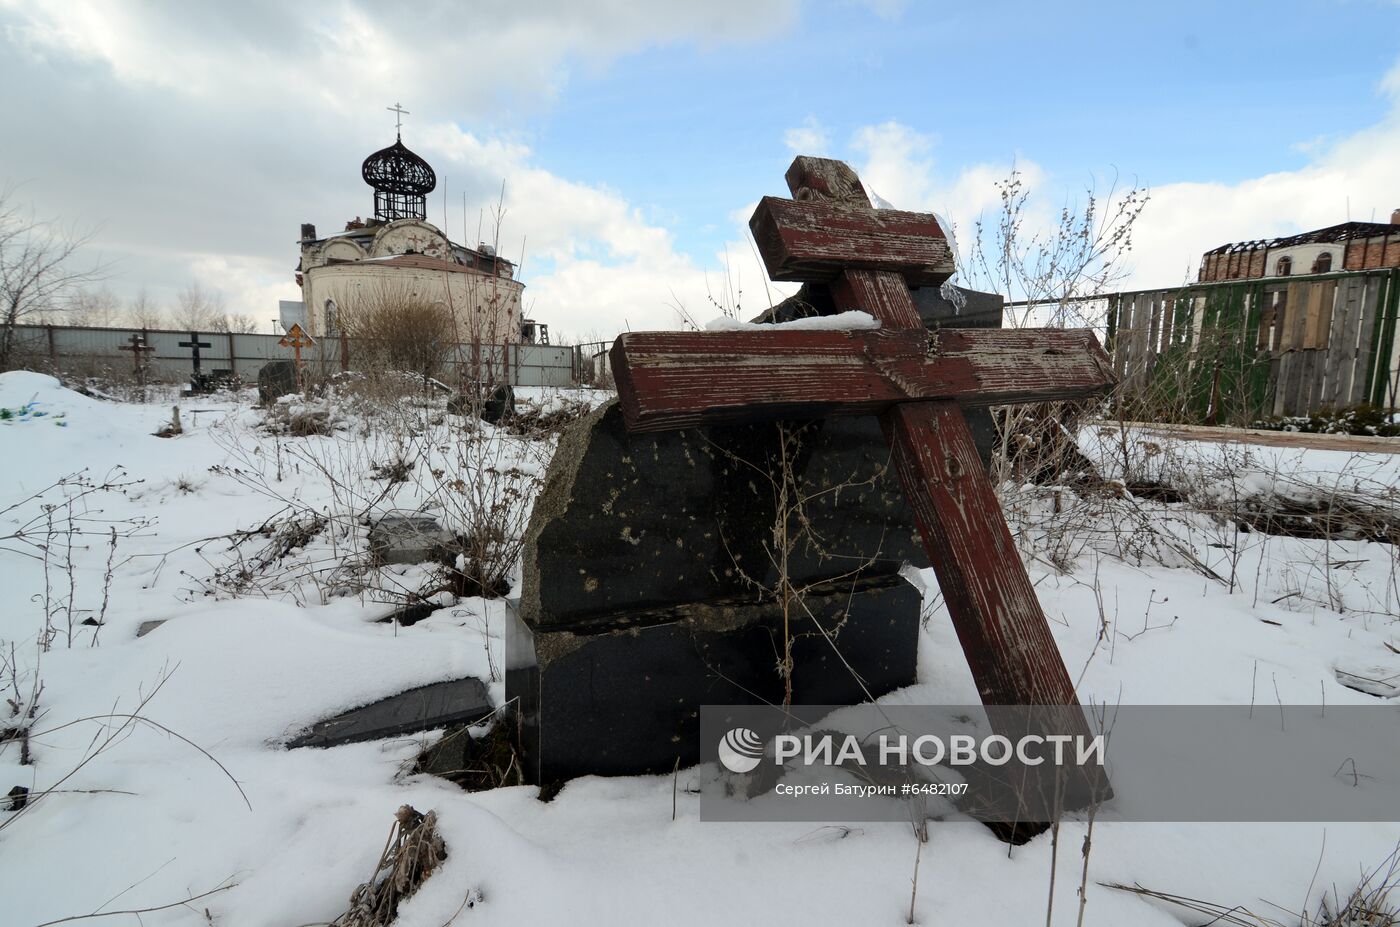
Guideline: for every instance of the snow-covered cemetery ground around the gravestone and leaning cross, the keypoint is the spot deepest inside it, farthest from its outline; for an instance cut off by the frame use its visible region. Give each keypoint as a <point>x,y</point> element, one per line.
<point>202,795</point>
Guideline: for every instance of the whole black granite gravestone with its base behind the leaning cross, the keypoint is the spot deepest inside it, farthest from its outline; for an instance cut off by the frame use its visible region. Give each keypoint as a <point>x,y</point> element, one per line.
<point>649,587</point>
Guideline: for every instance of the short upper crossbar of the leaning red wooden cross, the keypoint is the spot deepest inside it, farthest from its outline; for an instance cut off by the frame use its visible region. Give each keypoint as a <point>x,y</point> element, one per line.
<point>815,242</point>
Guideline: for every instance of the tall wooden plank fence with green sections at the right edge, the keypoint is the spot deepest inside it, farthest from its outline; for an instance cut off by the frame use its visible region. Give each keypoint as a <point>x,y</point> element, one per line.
<point>1249,349</point>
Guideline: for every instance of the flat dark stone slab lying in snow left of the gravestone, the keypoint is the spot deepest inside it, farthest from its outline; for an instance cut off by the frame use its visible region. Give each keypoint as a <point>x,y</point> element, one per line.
<point>422,709</point>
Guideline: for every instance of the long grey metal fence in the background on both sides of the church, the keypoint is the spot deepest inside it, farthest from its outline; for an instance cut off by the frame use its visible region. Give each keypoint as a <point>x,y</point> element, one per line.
<point>85,352</point>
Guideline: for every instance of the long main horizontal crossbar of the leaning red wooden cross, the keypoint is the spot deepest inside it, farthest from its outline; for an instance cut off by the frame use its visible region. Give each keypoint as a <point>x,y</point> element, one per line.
<point>673,380</point>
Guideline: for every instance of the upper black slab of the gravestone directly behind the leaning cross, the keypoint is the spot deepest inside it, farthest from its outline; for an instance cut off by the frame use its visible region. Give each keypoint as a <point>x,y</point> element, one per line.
<point>633,523</point>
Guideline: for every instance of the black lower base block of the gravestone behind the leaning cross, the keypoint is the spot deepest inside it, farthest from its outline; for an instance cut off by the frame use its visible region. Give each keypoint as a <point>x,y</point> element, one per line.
<point>626,701</point>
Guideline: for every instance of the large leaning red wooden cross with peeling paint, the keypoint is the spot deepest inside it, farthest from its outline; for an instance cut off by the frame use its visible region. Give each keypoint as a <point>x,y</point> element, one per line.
<point>918,384</point>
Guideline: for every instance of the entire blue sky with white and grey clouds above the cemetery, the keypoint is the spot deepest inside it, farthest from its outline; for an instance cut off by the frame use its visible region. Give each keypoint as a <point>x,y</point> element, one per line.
<point>635,138</point>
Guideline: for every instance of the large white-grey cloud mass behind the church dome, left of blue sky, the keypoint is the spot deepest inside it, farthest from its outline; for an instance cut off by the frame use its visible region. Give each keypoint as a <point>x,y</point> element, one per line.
<point>237,120</point>
